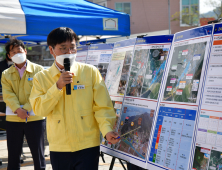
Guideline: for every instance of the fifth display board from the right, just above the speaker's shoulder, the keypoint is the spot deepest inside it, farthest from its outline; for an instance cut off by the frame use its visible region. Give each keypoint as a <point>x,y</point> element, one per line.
<point>99,55</point>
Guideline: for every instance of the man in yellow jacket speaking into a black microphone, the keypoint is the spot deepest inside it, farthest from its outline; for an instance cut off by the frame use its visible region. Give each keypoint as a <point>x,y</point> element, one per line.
<point>74,121</point>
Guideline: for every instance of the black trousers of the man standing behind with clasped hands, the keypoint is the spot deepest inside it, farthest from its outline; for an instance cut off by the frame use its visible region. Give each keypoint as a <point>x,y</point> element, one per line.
<point>34,133</point>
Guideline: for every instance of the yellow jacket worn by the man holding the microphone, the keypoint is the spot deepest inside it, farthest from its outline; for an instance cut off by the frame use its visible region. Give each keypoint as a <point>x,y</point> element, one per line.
<point>74,121</point>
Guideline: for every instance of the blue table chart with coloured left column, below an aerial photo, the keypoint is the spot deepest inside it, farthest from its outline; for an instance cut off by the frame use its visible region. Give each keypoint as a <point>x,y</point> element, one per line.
<point>173,137</point>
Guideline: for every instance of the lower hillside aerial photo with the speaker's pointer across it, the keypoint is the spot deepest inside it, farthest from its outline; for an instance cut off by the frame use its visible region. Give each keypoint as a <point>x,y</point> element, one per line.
<point>136,123</point>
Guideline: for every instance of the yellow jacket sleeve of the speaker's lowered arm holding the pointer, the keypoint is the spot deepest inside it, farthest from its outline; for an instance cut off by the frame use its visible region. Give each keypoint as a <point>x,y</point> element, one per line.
<point>103,108</point>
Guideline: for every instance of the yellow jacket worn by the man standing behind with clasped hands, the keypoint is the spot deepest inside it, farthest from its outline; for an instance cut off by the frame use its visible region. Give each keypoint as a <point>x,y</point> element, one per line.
<point>16,91</point>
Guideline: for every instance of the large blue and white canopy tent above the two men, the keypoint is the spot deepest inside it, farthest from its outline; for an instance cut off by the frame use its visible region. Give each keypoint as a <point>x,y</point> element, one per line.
<point>39,17</point>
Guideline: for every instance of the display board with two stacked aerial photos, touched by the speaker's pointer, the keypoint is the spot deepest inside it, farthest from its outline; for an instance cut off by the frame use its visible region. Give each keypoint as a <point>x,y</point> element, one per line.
<point>143,81</point>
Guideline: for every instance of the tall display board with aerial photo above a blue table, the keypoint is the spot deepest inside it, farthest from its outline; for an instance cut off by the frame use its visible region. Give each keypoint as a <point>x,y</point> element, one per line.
<point>174,137</point>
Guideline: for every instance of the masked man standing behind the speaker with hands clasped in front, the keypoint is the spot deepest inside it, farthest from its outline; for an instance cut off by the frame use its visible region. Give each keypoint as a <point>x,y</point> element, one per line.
<point>20,119</point>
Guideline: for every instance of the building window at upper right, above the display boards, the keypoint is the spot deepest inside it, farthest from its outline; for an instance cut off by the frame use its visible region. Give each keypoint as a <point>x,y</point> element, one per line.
<point>189,12</point>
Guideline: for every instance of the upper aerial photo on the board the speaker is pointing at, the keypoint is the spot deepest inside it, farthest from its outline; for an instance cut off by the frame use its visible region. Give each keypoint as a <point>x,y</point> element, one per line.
<point>146,73</point>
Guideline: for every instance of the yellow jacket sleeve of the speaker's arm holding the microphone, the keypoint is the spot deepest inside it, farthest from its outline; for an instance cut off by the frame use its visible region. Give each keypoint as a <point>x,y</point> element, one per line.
<point>44,102</point>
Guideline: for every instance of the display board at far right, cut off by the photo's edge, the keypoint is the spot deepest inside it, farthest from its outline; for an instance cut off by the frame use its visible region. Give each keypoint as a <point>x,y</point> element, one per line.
<point>208,152</point>
